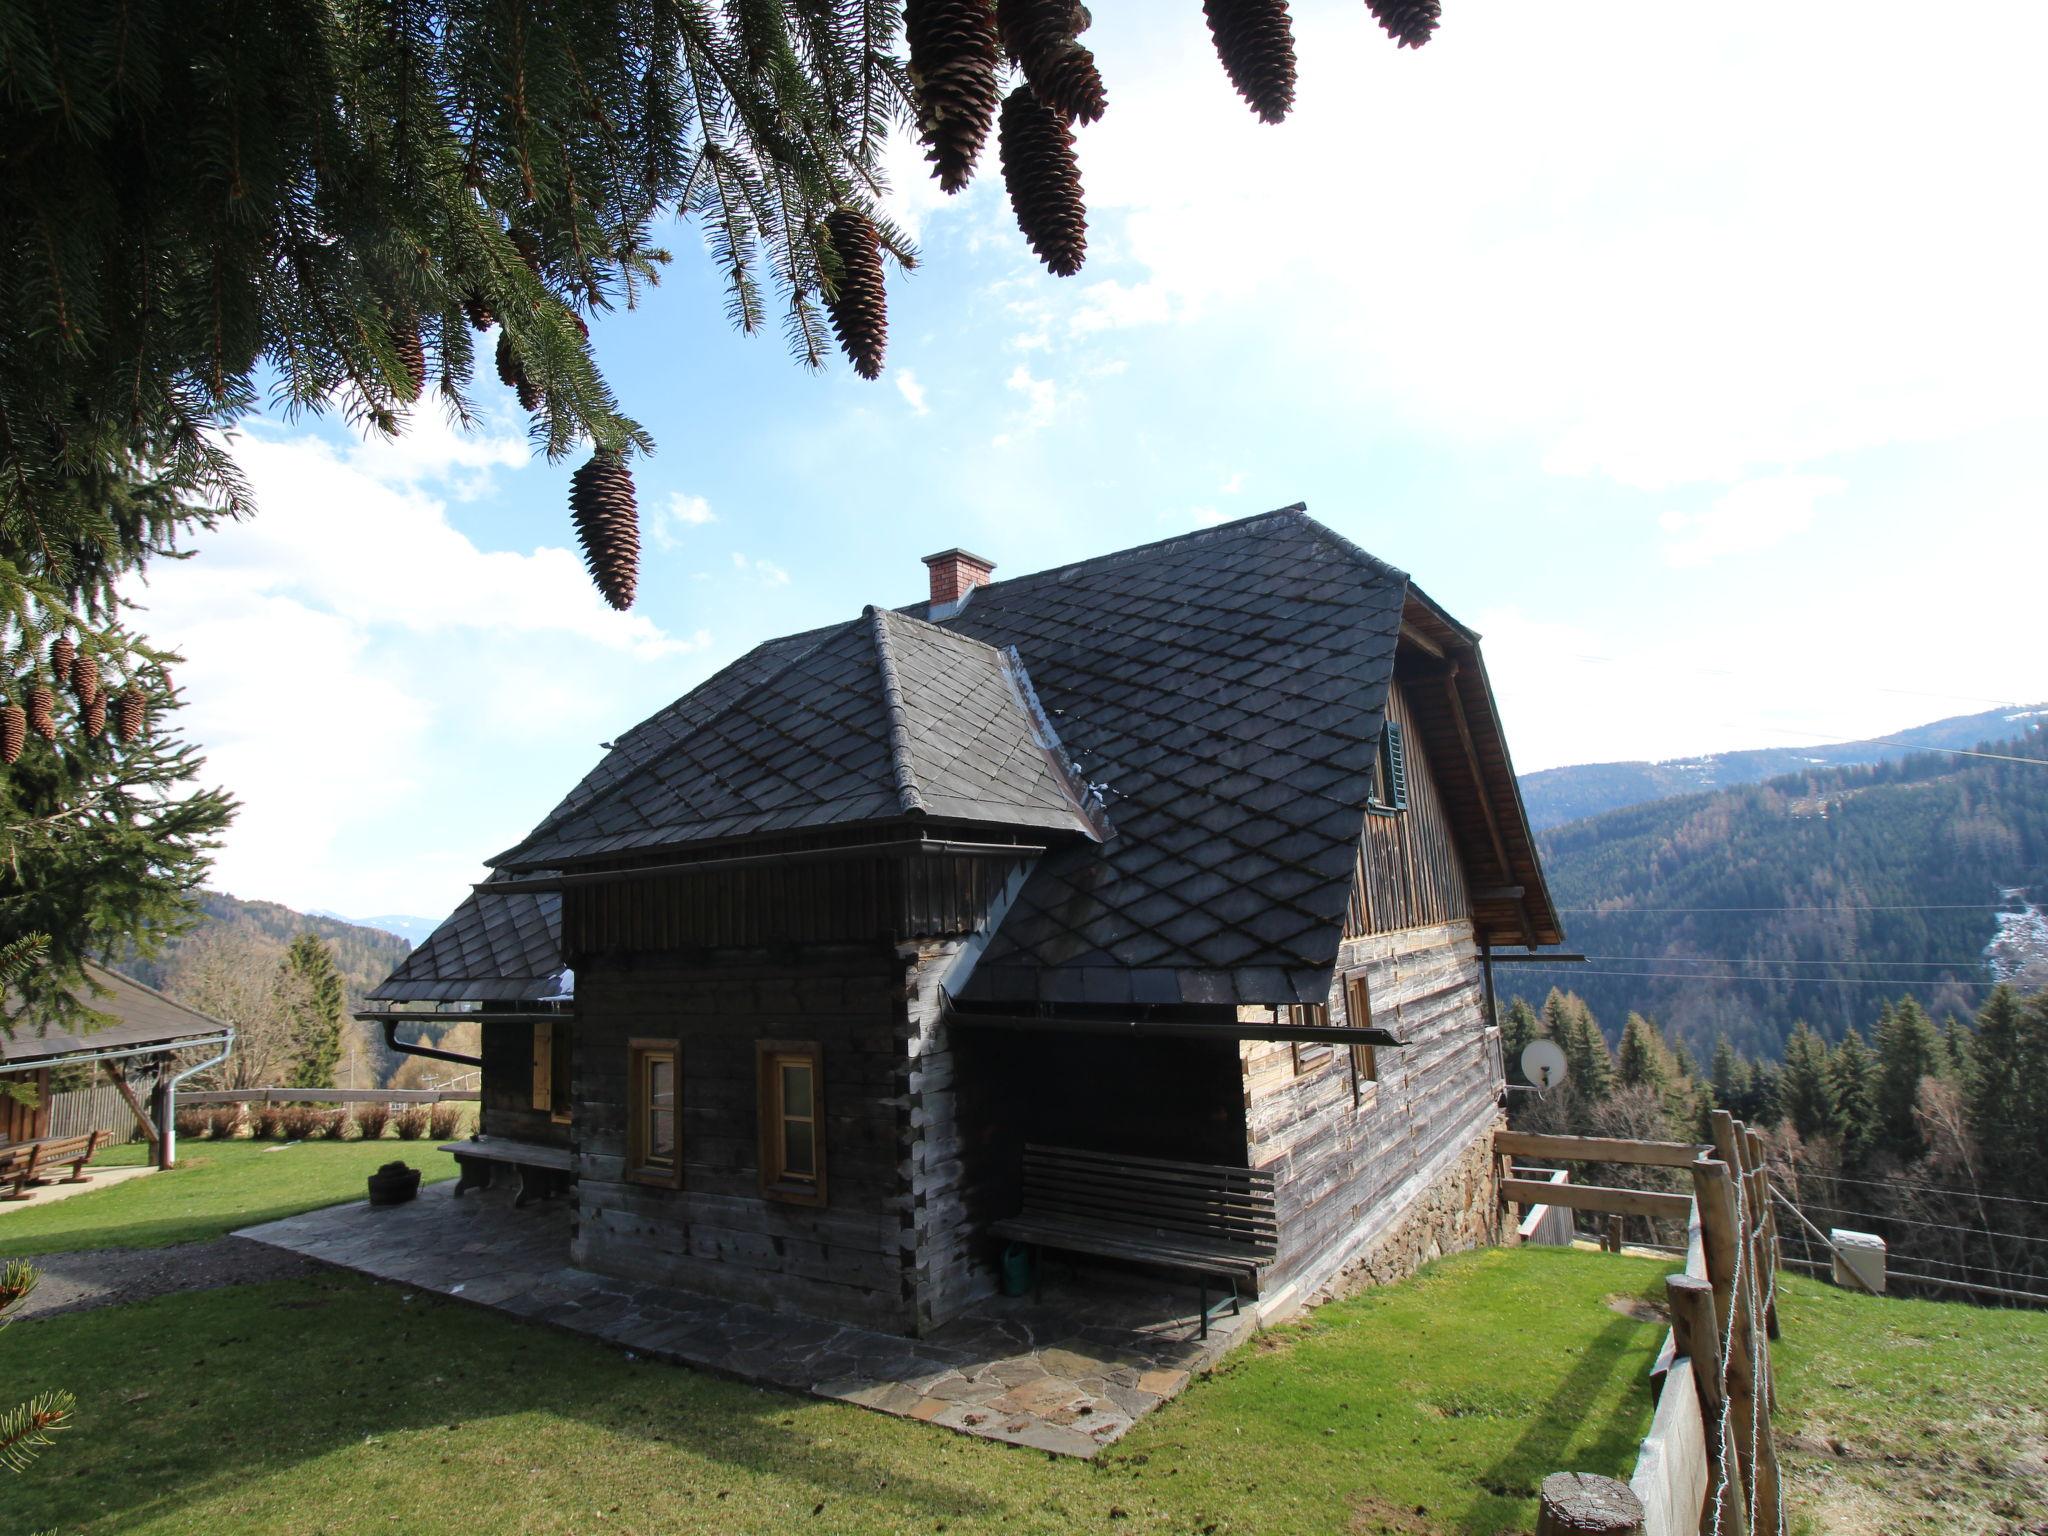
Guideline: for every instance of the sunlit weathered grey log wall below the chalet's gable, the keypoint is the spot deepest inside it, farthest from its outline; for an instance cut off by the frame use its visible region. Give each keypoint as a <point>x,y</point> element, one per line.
<point>1347,1172</point>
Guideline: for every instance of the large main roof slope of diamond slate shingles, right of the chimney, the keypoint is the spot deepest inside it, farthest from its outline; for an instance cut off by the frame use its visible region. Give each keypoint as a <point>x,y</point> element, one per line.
<point>1228,691</point>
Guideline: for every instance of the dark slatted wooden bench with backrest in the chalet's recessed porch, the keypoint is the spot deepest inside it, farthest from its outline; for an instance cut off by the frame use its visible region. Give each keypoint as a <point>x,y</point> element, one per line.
<point>1201,1220</point>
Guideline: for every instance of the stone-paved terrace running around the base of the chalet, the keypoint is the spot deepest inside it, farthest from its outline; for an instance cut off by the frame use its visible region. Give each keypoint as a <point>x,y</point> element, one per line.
<point>1066,1373</point>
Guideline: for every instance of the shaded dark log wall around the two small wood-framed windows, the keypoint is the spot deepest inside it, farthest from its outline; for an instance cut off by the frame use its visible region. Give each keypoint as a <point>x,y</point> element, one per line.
<point>855,1258</point>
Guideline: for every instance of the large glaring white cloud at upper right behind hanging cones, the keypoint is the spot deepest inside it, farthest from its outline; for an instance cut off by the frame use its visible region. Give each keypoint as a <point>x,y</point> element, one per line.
<point>1463,241</point>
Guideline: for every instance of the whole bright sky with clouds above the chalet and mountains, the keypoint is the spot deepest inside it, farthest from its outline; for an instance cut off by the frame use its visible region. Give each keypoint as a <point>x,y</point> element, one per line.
<point>1695,364</point>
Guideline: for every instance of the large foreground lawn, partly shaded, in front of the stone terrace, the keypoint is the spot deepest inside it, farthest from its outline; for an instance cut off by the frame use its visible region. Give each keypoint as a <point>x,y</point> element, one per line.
<point>341,1406</point>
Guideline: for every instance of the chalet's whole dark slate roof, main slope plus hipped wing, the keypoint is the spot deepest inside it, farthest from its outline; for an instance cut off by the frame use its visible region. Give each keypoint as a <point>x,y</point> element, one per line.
<point>1226,691</point>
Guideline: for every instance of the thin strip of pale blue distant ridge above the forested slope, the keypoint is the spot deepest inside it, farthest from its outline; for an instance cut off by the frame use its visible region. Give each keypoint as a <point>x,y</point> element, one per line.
<point>1560,796</point>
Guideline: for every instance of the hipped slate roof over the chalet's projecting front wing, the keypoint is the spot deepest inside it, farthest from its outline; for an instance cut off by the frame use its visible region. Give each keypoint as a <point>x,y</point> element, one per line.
<point>882,718</point>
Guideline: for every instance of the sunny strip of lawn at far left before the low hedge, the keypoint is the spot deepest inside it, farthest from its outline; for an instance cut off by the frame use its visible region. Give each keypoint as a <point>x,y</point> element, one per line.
<point>214,1189</point>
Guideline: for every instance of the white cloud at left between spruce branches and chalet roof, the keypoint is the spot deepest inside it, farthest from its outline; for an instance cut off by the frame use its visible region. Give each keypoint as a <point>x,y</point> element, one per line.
<point>351,658</point>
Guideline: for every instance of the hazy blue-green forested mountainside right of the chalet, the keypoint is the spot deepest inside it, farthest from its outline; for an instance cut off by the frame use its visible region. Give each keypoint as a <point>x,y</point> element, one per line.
<point>1814,896</point>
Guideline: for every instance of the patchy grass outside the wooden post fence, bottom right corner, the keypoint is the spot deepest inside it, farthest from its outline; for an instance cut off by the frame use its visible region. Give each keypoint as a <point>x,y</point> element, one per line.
<point>1912,1416</point>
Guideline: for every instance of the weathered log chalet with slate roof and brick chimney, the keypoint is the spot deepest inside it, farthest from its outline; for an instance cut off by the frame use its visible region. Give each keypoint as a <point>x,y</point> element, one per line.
<point>1138,908</point>
